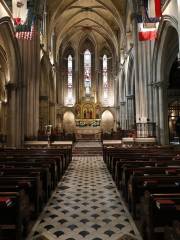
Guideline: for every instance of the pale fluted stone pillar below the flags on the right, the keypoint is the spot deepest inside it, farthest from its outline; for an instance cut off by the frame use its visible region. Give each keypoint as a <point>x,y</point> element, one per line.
<point>143,76</point>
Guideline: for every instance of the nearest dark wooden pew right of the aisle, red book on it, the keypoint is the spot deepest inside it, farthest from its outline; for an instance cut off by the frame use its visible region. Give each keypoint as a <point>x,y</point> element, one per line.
<point>161,210</point>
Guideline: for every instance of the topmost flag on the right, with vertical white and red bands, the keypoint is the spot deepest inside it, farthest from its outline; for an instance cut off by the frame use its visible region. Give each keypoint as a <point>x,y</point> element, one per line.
<point>154,8</point>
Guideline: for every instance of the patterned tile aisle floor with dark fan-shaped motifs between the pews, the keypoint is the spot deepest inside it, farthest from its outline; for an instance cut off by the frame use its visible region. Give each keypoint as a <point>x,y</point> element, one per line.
<point>86,206</point>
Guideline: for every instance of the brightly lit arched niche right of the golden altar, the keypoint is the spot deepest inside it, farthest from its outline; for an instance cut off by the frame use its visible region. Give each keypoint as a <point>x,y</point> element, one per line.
<point>107,121</point>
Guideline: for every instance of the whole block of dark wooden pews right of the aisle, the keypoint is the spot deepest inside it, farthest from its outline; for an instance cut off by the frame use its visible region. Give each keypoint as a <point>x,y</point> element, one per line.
<point>149,181</point>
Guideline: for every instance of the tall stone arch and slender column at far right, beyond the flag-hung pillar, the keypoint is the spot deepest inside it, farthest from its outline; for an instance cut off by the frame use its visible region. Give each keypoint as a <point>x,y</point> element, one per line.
<point>166,50</point>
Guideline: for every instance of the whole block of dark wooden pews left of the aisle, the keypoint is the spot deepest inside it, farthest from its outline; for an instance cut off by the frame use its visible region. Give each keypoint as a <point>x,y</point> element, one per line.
<point>27,179</point>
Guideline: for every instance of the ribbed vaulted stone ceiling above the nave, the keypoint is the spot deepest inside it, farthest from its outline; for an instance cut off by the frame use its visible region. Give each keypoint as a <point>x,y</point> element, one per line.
<point>97,18</point>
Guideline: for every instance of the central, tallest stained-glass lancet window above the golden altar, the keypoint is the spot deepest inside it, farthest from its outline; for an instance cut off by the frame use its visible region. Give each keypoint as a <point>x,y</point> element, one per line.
<point>87,72</point>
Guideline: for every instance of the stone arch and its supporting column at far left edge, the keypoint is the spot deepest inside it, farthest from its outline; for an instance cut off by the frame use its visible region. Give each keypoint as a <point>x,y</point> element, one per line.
<point>12,84</point>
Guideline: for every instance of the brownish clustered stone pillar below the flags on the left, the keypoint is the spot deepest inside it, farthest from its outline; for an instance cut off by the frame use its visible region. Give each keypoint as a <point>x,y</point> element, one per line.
<point>30,54</point>
